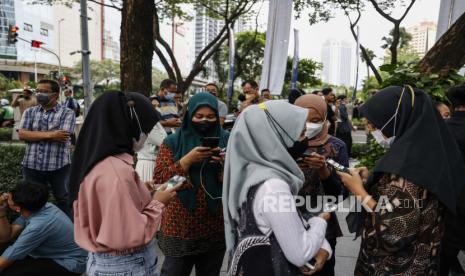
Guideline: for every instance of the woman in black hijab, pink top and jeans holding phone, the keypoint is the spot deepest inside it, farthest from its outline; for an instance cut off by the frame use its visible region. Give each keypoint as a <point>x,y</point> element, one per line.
<point>115,217</point>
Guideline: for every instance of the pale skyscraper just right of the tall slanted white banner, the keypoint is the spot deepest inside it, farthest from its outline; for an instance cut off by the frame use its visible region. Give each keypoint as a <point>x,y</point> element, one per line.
<point>336,57</point>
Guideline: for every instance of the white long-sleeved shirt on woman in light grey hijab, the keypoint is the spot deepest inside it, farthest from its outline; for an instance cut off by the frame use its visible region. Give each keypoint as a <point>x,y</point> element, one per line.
<point>274,209</point>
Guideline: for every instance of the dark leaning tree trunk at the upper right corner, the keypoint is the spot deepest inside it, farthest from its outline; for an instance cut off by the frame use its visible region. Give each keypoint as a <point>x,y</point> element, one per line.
<point>448,53</point>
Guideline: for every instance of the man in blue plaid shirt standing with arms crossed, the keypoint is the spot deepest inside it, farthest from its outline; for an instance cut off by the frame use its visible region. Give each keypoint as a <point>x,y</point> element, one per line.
<point>47,129</point>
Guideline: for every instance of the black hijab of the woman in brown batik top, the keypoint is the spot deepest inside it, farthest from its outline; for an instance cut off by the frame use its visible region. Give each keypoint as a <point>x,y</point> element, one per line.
<point>424,152</point>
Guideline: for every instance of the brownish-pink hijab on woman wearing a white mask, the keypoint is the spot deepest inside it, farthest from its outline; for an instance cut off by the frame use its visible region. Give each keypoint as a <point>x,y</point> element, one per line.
<point>319,105</point>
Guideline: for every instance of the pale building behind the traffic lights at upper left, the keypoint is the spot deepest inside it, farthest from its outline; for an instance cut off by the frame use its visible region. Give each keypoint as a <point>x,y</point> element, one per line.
<point>56,27</point>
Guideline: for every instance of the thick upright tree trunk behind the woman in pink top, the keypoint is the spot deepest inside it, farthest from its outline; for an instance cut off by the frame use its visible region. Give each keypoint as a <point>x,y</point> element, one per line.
<point>137,46</point>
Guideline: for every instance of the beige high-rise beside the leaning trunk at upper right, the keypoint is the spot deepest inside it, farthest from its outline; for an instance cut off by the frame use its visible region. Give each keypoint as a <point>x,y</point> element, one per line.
<point>423,36</point>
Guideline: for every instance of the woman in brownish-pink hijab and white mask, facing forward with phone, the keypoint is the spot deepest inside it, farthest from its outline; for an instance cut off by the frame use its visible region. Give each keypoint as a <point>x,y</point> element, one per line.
<point>319,179</point>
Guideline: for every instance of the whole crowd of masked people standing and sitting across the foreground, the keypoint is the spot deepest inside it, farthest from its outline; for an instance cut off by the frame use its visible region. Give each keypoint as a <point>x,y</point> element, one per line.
<point>157,171</point>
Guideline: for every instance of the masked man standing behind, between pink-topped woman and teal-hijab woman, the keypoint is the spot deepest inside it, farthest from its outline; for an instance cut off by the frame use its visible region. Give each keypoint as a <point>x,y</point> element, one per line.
<point>168,107</point>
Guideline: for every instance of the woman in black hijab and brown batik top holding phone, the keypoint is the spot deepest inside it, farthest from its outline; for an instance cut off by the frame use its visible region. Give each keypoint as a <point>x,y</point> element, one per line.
<point>420,174</point>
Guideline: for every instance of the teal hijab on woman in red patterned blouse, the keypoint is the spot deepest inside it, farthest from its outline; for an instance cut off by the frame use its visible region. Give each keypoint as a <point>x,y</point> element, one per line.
<point>187,138</point>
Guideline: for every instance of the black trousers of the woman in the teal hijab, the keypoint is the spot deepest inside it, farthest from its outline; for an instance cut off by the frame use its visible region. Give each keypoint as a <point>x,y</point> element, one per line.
<point>207,264</point>
